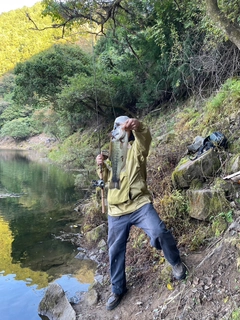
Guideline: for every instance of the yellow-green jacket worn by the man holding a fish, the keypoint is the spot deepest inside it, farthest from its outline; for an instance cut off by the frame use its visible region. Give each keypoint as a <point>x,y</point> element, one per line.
<point>133,192</point>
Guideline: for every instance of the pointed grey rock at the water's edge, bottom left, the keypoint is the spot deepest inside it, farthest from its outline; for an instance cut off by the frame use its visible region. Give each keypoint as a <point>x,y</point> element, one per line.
<point>55,305</point>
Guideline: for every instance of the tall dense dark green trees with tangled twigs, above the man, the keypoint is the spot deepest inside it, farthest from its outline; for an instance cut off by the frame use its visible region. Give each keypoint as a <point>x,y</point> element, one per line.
<point>165,44</point>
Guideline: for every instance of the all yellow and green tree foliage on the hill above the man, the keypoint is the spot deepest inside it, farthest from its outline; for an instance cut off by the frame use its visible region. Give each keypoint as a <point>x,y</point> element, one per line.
<point>146,55</point>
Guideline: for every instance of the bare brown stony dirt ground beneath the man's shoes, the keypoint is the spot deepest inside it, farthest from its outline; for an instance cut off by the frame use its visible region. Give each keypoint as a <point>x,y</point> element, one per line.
<point>210,291</point>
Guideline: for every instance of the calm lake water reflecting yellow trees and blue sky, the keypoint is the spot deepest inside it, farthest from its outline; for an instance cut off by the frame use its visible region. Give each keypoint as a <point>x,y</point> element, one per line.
<point>36,207</point>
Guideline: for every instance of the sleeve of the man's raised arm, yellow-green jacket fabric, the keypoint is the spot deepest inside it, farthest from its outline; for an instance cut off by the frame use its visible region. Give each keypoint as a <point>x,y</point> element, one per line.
<point>143,139</point>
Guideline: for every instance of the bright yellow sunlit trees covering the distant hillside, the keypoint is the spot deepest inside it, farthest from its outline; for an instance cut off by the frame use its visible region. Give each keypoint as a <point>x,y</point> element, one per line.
<point>18,41</point>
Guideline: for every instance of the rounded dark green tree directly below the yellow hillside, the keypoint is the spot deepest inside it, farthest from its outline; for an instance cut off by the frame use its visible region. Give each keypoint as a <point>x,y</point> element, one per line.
<point>41,78</point>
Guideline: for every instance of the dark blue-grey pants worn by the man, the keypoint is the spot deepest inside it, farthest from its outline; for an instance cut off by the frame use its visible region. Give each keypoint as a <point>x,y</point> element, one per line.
<point>147,219</point>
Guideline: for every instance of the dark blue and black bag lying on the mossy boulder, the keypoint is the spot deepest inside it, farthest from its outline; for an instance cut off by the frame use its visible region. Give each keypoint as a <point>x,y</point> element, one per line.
<point>214,140</point>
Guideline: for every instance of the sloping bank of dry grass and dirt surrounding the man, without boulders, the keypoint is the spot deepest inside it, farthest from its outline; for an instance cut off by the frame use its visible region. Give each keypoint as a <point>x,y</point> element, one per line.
<point>211,290</point>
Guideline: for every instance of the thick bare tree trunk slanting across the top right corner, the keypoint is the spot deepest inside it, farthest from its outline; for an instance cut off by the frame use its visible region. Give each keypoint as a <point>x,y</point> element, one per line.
<point>231,30</point>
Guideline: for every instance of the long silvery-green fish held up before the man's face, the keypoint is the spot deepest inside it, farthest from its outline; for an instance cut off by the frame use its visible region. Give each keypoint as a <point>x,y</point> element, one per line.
<point>118,155</point>
